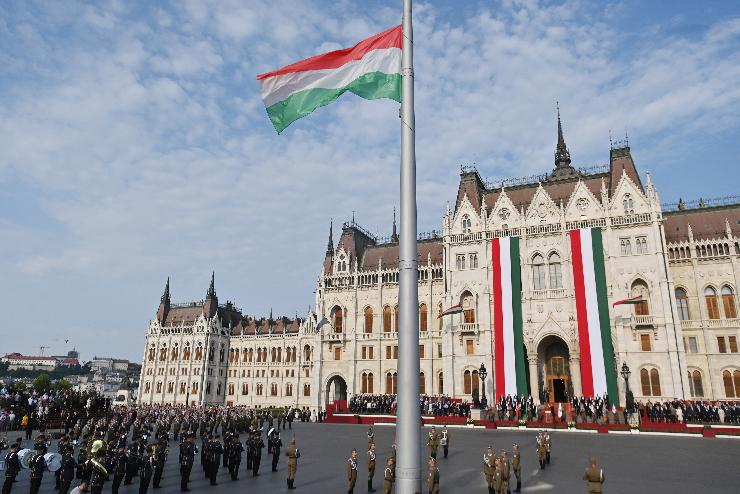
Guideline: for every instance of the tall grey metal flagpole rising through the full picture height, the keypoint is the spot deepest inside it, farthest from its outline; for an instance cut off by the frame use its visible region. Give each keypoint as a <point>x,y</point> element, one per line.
<point>408,415</point>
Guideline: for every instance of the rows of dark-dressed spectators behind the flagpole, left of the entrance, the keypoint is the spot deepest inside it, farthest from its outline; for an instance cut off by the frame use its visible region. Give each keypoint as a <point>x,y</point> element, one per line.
<point>437,406</point>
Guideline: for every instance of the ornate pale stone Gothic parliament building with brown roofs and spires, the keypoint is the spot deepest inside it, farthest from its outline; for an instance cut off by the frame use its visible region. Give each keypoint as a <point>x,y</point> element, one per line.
<point>681,262</point>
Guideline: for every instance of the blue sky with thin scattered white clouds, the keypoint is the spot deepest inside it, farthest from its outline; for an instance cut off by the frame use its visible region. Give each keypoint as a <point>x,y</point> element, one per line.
<point>134,146</point>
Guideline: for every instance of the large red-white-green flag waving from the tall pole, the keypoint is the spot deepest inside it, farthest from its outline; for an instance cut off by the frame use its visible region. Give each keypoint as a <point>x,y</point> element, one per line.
<point>371,69</point>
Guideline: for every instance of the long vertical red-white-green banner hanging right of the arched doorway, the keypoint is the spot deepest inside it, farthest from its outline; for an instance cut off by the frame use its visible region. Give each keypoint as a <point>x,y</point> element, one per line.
<point>598,375</point>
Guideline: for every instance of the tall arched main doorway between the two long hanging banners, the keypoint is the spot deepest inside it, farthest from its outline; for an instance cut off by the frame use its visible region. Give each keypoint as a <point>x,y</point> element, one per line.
<point>555,382</point>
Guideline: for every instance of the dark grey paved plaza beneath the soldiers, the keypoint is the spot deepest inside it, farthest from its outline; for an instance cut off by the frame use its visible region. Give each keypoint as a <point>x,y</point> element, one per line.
<point>632,464</point>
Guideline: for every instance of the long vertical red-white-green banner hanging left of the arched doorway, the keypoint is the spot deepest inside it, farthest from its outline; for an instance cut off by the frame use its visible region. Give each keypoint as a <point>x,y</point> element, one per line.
<point>509,358</point>
